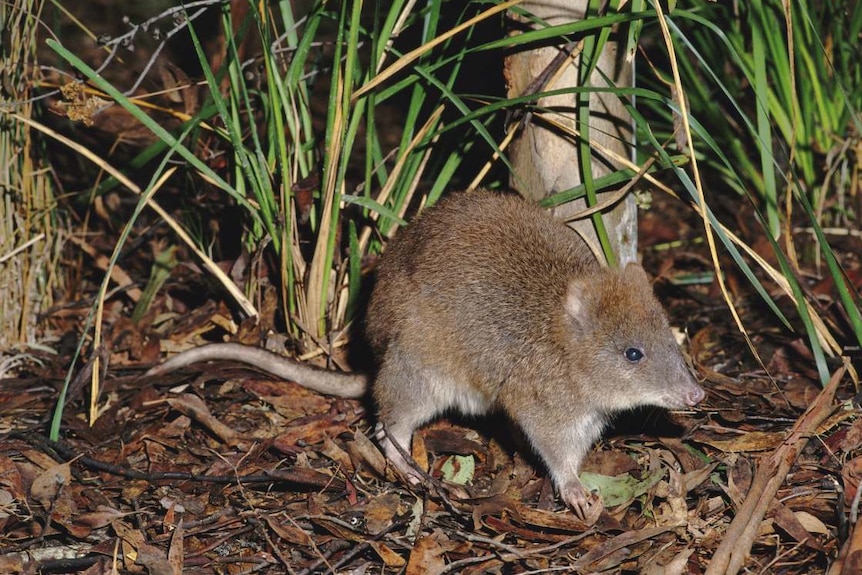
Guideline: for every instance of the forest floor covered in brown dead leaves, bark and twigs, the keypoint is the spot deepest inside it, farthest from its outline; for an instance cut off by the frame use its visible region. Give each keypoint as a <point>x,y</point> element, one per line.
<point>222,469</point>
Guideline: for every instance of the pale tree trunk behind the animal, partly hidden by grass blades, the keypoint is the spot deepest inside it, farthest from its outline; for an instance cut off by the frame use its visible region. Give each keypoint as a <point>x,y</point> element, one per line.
<point>546,161</point>
